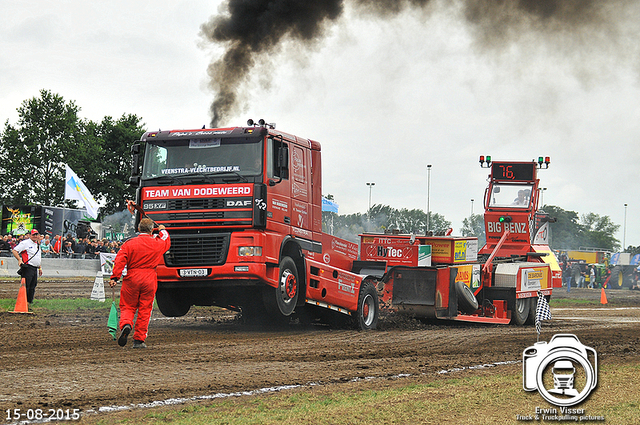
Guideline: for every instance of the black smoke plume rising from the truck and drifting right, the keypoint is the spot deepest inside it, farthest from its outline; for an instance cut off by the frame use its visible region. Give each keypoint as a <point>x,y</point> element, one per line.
<point>251,29</point>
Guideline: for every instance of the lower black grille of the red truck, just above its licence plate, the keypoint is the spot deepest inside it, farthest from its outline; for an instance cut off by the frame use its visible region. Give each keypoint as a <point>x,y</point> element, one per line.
<point>198,250</point>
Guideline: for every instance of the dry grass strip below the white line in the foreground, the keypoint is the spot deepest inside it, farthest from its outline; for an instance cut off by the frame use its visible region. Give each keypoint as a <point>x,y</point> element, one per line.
<point>487,398</point>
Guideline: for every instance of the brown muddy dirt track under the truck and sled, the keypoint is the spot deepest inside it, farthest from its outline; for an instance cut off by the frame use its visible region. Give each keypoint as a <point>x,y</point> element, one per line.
<point>69,361</point>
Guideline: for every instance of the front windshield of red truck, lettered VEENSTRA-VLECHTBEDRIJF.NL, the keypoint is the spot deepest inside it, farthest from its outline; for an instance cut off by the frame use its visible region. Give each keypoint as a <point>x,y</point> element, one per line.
<point>183,157</point>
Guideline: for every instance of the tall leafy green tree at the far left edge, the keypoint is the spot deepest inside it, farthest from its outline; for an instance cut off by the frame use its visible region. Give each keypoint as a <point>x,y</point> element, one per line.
<point>48,134</point>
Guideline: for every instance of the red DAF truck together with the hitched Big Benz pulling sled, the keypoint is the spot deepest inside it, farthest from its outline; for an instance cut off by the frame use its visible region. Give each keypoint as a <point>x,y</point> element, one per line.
<point>243,206</point>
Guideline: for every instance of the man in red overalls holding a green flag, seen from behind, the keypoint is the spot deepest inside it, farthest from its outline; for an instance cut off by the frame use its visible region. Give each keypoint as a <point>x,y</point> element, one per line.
<point>140,255</point>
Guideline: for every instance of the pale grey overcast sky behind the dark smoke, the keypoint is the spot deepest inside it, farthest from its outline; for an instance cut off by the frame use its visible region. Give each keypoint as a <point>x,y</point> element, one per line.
<point>384,97</point>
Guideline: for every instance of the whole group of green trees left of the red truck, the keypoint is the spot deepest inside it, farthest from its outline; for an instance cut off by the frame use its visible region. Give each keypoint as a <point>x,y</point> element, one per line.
<point>50,133</point>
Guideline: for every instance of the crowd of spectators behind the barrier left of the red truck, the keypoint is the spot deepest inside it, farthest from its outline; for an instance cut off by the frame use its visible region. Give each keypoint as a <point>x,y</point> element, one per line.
<point>59,247</point>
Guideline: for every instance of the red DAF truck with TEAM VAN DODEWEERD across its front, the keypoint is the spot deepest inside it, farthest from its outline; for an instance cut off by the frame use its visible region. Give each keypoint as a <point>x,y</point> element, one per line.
<point>243,206</point>
